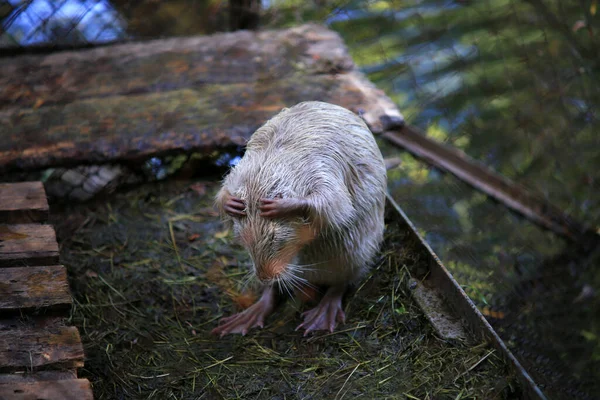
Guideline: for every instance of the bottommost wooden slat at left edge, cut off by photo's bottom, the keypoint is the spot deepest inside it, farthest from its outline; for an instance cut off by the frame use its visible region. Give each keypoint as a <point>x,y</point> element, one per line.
<point>74,389</point>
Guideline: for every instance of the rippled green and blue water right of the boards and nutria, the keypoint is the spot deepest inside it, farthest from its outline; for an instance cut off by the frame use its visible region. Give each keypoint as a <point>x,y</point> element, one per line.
<point>503,82</point>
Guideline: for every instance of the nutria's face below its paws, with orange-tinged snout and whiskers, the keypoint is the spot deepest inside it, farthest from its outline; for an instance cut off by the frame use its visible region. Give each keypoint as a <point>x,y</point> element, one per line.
<point>273,244</point>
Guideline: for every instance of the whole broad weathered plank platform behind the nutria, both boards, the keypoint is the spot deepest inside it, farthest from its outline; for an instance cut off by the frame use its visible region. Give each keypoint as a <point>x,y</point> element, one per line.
<point>143,99</point>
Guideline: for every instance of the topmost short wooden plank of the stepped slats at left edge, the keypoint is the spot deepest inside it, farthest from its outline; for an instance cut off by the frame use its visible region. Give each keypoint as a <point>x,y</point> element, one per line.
<point>23,202</point>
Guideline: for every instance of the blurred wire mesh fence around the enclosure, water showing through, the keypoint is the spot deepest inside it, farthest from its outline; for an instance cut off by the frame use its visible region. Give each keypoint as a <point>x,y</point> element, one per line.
<point>513,83</point>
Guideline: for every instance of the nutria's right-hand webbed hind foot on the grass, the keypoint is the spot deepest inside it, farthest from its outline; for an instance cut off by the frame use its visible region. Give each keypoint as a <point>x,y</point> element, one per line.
<point>326,314</point>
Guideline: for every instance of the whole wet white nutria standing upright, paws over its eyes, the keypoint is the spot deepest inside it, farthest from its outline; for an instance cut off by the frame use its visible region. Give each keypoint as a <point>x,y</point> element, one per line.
<point>307,202</point>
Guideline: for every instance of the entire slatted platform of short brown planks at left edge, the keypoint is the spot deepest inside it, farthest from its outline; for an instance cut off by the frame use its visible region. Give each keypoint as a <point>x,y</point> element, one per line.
<point>39,352</point>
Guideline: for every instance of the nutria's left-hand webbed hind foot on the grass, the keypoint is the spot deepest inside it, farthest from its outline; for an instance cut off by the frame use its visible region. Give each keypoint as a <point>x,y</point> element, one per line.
<point>249,318</point>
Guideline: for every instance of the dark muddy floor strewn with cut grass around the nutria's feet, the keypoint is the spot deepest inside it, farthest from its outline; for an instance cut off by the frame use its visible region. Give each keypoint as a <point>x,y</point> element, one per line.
<point>152,270</point>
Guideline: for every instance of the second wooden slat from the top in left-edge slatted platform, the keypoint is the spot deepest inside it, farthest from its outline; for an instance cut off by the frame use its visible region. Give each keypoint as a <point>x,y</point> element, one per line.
<point>29,244</point>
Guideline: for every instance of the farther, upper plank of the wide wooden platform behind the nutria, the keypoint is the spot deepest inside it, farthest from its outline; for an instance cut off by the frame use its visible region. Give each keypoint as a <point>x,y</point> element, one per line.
<point>170,64</point>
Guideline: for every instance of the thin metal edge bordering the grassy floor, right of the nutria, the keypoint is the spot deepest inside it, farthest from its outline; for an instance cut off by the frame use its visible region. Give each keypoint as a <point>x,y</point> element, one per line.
<point>476,324</point>
